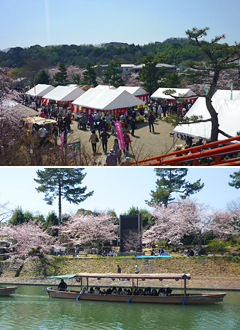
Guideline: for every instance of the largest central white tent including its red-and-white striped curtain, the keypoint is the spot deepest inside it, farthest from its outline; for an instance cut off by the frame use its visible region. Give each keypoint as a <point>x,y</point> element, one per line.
<point>115,102</point>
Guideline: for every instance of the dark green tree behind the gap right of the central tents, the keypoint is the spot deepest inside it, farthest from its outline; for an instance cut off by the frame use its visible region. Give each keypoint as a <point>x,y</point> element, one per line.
<point>150,75</point>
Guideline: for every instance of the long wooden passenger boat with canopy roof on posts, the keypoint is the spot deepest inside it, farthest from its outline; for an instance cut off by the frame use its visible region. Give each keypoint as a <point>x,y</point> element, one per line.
<point>184,298</point>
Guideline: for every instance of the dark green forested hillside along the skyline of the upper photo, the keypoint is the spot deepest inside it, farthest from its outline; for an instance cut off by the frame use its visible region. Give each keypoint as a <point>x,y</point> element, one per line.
<point>171,51</point>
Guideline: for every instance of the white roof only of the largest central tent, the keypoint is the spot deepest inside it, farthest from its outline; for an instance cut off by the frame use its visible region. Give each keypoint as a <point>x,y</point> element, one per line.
<point>107,99</point>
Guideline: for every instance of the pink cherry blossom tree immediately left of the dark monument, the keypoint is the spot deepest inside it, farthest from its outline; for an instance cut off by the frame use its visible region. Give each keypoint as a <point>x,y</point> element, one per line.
<point>89,229</point>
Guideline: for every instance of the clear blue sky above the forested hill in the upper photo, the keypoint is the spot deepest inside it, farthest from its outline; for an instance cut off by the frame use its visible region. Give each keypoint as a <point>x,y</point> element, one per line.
<point>25,23</point>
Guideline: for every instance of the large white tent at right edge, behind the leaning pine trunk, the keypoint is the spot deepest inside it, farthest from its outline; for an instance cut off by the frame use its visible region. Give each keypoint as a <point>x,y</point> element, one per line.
<point>228,116</point>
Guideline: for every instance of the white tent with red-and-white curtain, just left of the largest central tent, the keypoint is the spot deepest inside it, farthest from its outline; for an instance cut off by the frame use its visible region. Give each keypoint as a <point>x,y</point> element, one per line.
<point>63,95</point>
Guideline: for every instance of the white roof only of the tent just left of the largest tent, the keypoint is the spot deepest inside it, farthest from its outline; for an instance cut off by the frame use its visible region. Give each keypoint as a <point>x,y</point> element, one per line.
<point>64,93</point>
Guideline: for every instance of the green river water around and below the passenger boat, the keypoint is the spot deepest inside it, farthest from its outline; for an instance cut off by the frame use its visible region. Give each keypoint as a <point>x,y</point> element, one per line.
<point>31,308</point>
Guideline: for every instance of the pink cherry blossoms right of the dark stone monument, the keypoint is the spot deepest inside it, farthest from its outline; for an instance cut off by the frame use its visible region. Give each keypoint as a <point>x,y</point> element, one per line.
<point>185,218</point>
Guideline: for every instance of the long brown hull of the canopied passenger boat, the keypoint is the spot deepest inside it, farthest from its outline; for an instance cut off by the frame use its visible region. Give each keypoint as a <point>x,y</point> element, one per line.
<point>191,299</point>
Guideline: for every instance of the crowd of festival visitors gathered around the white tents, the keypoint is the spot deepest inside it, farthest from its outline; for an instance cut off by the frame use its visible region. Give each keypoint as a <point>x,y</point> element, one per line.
<point>102,125</point>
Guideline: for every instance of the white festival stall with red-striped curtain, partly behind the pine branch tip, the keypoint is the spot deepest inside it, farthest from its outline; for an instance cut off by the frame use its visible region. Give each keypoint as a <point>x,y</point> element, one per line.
<point>186,92</point>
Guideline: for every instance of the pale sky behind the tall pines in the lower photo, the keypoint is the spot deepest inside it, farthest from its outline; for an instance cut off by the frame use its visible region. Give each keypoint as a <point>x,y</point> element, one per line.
<point>114,188</point>
